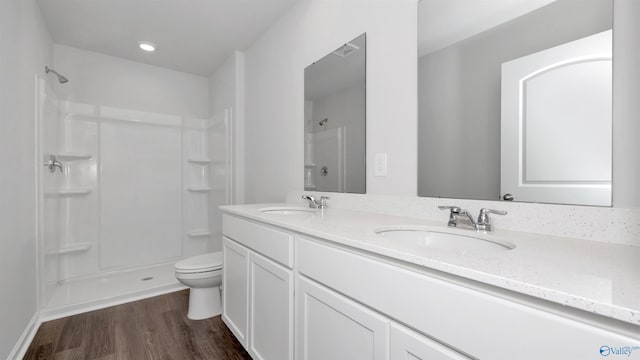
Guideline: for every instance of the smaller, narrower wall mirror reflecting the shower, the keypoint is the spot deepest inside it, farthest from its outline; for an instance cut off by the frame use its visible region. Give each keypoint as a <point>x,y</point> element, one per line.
<point>335,120</point>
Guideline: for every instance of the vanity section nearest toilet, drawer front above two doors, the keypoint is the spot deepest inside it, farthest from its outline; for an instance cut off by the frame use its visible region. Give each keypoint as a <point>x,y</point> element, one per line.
<point>258,287</point>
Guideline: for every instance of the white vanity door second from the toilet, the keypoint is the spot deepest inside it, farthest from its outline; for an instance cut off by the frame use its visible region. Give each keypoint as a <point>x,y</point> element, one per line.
<point>270,310</point>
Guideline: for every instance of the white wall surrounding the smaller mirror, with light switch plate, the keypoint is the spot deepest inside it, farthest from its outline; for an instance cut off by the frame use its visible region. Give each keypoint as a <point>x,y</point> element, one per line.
<point>275,92</point>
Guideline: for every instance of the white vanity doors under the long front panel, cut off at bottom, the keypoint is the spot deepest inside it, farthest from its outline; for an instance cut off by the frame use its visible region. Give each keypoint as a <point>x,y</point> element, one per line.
<point>332,326</point>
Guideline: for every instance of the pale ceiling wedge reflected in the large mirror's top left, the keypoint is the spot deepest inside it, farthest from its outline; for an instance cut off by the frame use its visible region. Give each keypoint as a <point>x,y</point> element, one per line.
<point>445,22</point>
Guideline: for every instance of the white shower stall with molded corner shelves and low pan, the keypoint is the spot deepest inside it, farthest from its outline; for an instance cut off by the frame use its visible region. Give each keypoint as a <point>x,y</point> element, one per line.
<point>123,195</point>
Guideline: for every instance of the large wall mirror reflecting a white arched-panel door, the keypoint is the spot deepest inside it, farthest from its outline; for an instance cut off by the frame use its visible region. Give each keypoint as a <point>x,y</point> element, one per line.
<point>515,100</point>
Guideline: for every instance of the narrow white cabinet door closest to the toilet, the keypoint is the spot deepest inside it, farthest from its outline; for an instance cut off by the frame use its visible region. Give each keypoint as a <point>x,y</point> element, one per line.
<point>235,289</point>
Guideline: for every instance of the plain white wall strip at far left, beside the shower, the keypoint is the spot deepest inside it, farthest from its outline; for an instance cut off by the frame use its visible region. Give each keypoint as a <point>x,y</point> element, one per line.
<point>26,48</point>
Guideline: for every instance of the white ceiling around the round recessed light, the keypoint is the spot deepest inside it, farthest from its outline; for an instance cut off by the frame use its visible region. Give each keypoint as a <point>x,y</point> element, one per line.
<point>193,36</point>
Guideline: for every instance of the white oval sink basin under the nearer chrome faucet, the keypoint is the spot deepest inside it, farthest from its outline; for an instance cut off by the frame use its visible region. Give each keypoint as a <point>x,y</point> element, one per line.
<point>418,236</point>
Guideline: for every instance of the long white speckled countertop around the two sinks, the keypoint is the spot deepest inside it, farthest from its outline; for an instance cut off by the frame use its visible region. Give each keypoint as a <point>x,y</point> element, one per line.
<point>593,276</point>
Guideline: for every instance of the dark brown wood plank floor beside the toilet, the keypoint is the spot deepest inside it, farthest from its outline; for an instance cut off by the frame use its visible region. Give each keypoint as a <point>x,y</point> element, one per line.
<point>155,328</point>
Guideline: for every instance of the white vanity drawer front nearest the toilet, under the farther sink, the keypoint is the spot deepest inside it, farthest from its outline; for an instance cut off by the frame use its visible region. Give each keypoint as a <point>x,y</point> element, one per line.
<point>264,239</point>
